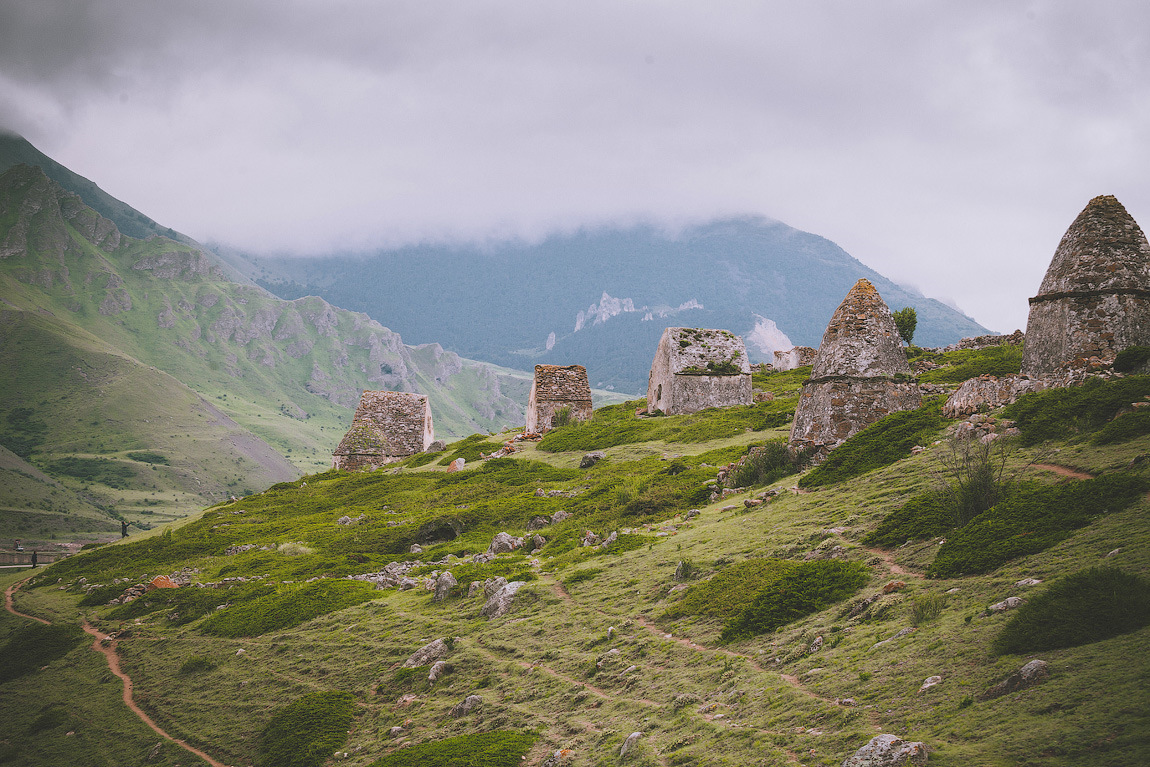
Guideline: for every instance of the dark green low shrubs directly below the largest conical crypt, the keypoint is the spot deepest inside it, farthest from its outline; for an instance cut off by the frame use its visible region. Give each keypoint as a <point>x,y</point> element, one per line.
<point>1056,413</point>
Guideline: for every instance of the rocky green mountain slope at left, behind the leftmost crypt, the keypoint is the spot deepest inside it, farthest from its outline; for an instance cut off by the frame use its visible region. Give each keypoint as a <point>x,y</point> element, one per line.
<point>120,344</point>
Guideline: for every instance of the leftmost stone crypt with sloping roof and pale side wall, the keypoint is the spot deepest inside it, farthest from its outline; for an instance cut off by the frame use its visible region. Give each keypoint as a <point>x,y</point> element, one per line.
<point>388,427</point>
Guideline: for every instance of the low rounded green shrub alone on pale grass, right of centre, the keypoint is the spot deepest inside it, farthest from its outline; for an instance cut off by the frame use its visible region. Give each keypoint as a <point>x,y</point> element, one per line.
<point>809,588</point>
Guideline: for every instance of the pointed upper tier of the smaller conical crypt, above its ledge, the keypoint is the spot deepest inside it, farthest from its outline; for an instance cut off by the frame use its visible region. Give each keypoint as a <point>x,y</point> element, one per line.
<point>862,340</point>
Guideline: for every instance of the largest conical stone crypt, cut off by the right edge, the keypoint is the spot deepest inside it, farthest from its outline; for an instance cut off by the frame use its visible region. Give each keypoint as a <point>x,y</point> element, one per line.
<point>1095,300</point>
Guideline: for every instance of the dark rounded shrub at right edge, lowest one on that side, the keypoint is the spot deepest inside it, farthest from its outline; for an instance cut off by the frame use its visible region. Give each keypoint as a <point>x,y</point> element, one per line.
<point>1087,607</point>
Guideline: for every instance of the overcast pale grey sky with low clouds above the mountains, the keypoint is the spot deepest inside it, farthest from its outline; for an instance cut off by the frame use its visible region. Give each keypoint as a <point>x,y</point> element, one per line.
<point>947,145</point>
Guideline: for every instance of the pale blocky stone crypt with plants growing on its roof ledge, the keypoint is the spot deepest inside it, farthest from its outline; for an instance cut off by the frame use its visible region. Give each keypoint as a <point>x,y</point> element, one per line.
<point>696,369</point>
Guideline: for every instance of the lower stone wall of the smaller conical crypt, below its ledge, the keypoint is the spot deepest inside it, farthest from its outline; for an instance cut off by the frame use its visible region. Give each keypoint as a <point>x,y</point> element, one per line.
<point>832,411</point>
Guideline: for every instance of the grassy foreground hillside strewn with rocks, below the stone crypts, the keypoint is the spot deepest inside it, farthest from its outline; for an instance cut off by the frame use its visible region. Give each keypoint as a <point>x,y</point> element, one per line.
<point>757,634</point>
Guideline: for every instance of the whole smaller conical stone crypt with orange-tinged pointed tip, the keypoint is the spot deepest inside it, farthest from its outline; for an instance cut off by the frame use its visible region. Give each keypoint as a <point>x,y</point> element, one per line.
<point>857,377</point>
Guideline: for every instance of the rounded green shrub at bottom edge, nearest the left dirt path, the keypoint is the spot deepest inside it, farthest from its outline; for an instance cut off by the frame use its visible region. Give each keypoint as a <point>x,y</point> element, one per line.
<point>306,733</point>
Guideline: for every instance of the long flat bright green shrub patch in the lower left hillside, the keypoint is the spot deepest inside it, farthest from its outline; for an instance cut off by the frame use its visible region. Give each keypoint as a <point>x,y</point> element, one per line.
<point>290,605</point>
